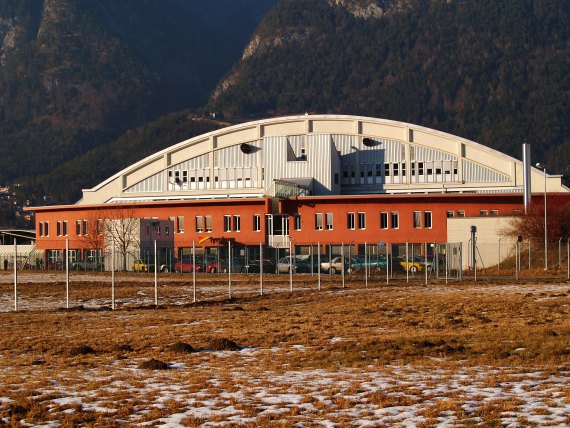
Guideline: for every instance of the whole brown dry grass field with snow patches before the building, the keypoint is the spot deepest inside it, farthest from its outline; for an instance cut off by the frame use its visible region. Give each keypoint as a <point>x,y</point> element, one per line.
<point>462,354</point>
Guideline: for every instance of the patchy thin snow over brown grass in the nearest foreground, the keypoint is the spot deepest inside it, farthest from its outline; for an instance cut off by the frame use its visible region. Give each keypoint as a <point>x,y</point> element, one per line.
<point>243,395</point>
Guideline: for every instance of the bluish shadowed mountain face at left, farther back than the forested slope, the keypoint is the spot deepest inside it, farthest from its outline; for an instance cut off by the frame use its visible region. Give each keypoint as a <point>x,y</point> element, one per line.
<point>76,74</point>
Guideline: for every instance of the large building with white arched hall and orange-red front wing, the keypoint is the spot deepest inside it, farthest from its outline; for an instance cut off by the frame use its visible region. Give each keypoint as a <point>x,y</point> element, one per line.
<point>301,180</point>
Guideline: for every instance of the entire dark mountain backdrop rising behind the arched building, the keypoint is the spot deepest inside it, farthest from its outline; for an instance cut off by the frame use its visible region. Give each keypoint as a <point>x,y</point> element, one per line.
<point>77,75</point>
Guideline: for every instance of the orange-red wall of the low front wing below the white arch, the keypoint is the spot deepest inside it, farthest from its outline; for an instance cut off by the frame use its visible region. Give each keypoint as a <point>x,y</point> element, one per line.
<point>405,205</point>
